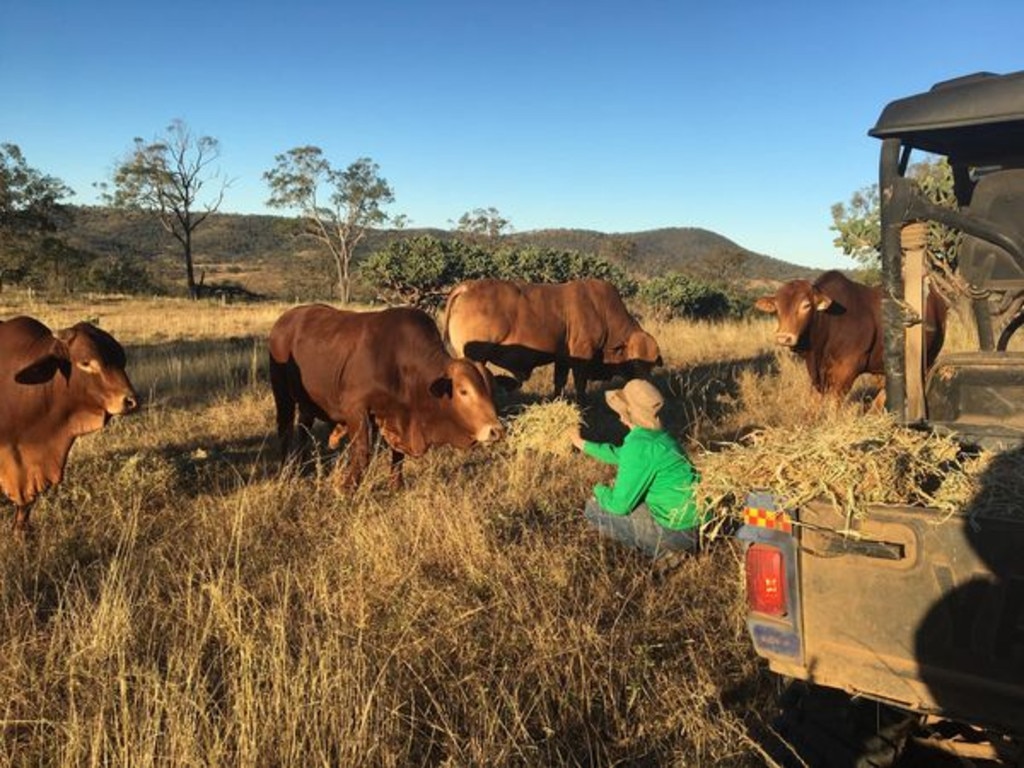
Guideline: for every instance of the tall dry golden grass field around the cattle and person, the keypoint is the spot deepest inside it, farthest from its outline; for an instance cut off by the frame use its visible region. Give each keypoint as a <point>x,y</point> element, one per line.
<point>183,604</point>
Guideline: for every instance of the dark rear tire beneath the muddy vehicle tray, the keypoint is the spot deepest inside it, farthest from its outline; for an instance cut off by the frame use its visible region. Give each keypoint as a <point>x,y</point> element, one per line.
<point>827,729</point>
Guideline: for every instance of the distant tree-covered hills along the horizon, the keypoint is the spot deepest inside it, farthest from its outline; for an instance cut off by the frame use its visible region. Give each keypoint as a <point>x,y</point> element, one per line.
<point>243,244</point>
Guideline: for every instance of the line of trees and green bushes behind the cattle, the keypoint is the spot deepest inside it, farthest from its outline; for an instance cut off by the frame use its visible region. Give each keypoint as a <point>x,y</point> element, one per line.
<point>176,180</point>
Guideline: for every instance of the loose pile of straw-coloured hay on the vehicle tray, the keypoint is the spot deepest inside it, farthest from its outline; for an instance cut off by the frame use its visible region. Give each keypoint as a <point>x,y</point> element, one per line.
<point>867,460</point>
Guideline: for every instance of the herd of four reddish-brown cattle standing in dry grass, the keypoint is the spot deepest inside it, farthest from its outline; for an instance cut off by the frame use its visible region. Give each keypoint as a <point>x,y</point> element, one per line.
<point>394,370</point>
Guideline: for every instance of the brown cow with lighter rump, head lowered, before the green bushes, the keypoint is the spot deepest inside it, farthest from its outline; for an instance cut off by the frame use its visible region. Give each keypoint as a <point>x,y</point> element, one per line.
<point>582,326</point>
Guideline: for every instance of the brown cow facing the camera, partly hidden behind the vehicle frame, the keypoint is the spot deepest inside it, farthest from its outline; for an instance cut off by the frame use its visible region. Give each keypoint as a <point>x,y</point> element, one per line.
<point>835,325</point>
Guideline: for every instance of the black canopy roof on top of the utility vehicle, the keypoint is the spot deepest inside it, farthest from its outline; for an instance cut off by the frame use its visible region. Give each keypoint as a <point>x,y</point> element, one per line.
<point>975,120</point>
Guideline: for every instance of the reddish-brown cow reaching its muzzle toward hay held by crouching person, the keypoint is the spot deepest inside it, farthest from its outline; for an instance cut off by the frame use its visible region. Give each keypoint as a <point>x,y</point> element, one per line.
<point>389,367</point>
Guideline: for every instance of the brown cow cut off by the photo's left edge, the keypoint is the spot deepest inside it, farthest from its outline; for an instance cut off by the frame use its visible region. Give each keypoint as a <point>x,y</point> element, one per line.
<point>54,389</point>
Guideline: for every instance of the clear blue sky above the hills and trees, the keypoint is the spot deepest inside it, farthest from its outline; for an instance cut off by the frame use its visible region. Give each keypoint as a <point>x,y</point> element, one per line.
<point>749,119</point>
